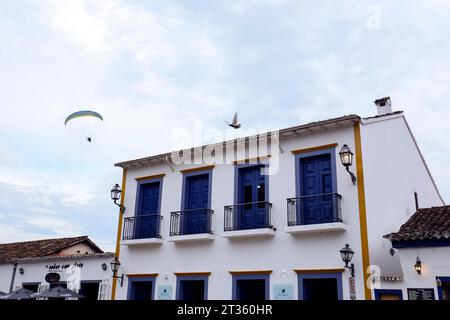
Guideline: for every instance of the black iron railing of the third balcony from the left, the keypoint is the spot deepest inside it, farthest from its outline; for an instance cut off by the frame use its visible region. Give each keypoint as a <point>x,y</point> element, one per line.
<point>245,216</point>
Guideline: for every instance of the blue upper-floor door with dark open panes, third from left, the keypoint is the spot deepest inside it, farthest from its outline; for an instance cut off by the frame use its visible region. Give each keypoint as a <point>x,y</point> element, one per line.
<point>252,215</point>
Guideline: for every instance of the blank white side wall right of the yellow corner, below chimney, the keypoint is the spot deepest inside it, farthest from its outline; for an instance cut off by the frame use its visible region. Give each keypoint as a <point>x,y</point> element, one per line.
<point>393,171</point>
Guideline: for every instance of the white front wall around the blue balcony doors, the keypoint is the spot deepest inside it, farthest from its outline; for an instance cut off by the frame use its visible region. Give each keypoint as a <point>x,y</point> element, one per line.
<point>283,252</point>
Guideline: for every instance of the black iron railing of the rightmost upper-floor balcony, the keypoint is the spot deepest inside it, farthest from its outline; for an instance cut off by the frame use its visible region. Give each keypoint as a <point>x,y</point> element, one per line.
<point>314,209</point>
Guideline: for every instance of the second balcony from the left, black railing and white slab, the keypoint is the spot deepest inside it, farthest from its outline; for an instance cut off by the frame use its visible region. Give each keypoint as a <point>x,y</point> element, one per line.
<point>191,225</point>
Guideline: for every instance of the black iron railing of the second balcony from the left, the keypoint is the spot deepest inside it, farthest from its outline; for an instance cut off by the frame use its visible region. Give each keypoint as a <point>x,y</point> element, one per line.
<point>191,221</point>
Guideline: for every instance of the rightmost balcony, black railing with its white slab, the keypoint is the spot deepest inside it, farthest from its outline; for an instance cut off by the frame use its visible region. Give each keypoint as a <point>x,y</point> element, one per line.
<point>315,213</point>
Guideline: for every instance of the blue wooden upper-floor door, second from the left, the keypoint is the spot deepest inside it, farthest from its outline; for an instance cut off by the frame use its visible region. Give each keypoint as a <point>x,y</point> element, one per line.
<point>196,204</point>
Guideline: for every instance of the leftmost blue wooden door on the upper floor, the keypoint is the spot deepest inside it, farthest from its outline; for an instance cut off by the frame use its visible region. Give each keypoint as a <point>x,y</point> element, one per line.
<point>147,221</point>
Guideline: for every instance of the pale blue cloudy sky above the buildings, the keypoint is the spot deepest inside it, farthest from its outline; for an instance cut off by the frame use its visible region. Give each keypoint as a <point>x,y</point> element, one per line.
<point>154,68</point>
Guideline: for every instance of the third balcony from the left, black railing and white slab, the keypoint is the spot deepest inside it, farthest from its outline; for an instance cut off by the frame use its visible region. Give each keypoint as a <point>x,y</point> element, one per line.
<point>251,219</point>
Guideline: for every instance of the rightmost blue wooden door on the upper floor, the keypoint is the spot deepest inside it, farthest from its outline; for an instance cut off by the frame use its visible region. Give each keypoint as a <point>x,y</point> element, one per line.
<point>317,204</point>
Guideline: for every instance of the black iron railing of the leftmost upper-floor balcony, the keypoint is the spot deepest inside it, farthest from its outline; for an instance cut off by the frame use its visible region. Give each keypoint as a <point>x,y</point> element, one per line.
<point>142,227</point>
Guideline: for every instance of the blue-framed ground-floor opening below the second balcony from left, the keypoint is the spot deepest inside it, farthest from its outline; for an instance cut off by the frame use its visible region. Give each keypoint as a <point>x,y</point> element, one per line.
<point>192,288</point>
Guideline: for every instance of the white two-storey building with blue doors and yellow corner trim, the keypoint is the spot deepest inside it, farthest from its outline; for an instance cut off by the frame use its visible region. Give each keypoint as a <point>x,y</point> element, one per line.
<point>221,228</point>
